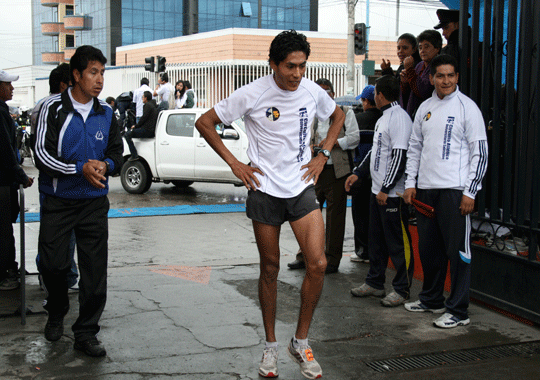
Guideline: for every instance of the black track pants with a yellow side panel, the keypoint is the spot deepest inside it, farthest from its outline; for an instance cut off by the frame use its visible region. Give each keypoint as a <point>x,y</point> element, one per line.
<point>389,236</point>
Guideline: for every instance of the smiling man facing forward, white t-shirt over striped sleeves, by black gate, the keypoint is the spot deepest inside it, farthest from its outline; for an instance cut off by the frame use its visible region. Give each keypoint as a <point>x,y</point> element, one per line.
<point>446,161</point>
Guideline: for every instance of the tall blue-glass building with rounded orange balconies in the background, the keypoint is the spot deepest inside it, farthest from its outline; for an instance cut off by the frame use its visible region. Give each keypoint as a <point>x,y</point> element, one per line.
<point>60,26</point>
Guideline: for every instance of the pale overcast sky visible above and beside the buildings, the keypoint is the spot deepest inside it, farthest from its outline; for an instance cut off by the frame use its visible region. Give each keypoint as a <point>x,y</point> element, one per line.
<point>415,16</point>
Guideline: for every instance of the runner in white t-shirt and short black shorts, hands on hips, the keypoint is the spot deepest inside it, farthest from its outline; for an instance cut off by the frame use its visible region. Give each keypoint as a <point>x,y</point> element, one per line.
<point>278,110</point>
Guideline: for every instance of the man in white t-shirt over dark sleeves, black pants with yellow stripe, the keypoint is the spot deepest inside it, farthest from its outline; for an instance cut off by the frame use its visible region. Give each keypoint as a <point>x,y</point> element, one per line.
<point>389,235</point>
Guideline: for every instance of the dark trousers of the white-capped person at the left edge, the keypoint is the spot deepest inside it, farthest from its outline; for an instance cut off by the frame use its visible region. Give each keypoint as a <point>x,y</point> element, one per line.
<point>8,216</point>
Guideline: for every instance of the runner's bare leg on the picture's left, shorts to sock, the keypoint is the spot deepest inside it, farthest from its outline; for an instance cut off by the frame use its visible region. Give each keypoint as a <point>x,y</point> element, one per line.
<point>267,237</point>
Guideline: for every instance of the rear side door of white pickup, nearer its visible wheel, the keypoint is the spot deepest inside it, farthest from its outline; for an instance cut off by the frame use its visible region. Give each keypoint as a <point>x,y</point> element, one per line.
<point>175,150</point>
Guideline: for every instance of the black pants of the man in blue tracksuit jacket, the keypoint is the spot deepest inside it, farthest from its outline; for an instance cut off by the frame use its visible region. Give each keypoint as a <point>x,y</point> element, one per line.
<point>88,218</point>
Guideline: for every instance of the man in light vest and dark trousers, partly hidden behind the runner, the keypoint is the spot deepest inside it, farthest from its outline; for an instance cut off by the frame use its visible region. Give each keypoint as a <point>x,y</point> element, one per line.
<point>330,187</point>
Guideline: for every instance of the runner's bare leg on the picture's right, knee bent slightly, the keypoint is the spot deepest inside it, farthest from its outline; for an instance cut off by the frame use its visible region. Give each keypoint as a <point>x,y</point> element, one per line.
<point>309,232</point>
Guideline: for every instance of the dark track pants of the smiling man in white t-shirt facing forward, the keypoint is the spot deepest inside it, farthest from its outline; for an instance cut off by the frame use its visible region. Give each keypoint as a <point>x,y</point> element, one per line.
<point>442,239</point>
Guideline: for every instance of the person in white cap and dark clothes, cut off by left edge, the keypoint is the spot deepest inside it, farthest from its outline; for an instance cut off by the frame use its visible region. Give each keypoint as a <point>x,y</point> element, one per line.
<point>11,176</point>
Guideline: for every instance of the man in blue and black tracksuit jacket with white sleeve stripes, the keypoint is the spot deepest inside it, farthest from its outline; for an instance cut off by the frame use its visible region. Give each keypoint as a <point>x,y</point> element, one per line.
<point>78,145</point>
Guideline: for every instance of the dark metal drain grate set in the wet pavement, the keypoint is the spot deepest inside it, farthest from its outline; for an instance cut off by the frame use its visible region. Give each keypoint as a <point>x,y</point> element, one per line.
<point>455,357</point>
